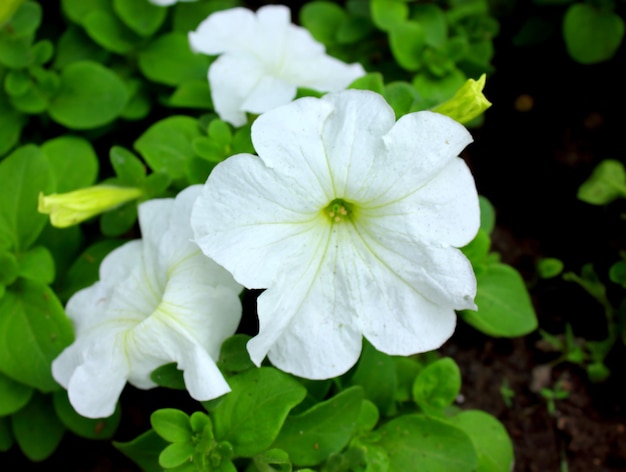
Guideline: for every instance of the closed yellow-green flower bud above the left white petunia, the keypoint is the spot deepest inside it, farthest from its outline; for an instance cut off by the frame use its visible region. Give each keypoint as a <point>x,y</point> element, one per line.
<point>71,208</point>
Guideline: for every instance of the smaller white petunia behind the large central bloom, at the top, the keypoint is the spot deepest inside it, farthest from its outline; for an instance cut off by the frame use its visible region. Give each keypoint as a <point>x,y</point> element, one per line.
<point>264,59</point>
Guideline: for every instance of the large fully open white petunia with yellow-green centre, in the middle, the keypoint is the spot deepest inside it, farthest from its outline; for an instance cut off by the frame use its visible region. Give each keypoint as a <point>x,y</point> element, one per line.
<point>352,222</point>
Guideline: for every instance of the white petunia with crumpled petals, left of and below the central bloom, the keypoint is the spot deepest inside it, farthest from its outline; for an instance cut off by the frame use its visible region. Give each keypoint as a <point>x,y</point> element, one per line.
<point>159,300</point>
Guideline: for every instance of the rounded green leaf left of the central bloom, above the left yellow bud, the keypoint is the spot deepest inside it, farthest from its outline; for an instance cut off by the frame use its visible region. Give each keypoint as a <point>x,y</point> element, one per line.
<point>167,145</point>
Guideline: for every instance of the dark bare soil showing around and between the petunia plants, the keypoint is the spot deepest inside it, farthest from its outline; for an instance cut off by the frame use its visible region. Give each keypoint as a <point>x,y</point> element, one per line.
<point>552,122</point>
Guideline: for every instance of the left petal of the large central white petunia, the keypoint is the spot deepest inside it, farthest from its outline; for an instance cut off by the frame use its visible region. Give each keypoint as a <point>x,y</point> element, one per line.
<point>246,207</point>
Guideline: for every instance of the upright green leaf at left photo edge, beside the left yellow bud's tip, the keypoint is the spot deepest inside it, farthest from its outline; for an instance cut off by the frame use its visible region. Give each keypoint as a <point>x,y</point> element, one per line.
<point>23,174</point>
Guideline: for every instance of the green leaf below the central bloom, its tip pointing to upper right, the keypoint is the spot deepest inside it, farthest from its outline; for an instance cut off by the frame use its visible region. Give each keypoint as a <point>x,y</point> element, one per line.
<point>323,430</point>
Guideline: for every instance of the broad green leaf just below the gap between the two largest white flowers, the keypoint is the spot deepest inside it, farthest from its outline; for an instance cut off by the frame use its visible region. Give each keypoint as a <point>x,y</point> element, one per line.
<point>252,414</point>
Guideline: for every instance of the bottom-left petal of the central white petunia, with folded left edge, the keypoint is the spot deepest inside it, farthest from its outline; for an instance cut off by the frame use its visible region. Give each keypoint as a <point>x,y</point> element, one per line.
<point>305,320</point>
